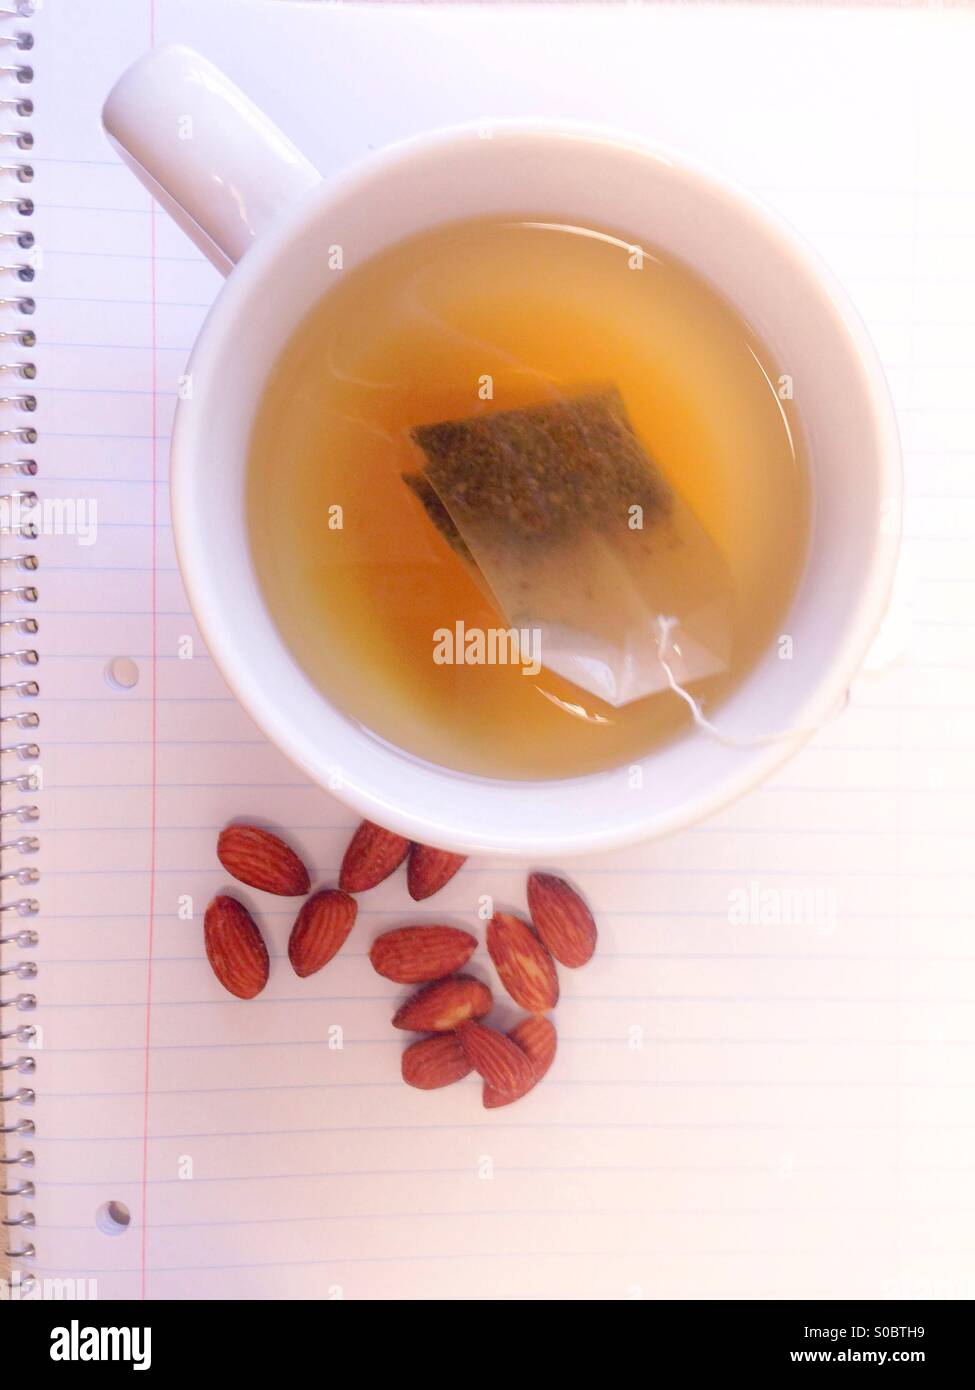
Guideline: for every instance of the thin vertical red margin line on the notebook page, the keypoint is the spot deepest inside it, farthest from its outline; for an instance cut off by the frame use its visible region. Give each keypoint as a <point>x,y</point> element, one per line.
<point>154,605</point>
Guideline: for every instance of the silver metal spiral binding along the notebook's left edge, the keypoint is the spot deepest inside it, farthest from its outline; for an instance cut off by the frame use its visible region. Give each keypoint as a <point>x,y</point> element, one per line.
<point>17,650</point>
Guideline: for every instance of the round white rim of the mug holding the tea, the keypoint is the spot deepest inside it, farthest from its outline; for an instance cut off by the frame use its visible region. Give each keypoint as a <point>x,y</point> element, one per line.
<point>746,768</point>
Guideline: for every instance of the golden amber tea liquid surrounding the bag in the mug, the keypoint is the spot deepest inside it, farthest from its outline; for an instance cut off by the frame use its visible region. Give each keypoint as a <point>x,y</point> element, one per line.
<point>496,316</point>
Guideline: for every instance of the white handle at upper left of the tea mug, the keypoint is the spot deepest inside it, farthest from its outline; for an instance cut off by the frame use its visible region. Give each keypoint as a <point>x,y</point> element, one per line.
<point>207,154</point>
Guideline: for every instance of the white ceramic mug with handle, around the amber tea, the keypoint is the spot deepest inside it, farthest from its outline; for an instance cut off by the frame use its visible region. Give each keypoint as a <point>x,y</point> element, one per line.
<point>266,218</point>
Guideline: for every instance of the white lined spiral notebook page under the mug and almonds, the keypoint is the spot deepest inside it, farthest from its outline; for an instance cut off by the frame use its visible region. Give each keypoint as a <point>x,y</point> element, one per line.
<point>766,1079</point>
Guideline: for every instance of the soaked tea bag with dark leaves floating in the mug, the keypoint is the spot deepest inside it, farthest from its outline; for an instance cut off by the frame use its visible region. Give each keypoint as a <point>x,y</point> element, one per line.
<point>579,539</point>
